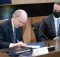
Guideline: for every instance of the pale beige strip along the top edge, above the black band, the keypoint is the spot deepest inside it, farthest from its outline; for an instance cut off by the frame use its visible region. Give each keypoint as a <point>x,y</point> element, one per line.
<point>32,1</point>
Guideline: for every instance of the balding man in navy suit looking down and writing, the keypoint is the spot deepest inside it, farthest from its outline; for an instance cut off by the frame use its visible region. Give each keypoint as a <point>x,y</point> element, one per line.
<point>11,31</point>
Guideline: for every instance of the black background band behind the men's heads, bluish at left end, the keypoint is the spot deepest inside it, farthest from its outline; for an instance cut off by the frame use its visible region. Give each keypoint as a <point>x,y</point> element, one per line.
<point>38,9</point>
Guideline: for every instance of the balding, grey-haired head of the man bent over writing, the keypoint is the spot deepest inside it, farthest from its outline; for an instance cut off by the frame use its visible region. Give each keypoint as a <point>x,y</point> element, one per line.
<point>19,17</point>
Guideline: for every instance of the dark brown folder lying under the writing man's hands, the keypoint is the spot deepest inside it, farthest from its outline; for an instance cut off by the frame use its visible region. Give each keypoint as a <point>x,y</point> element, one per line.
<point>16,50</point>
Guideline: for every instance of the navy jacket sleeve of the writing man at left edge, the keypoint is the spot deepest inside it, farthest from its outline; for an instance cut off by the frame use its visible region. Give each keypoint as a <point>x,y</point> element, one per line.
<point>3,43</point>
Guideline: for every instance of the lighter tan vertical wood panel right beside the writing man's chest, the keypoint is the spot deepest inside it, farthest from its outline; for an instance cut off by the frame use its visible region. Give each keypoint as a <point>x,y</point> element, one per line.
<point>27,32</point>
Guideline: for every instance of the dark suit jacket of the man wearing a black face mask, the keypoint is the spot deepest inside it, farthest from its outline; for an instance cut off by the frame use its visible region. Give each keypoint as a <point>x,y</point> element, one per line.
<point>47,26</point>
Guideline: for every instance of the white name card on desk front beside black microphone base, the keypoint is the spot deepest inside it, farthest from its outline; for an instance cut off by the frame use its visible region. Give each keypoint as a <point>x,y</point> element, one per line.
<point>40,51</point>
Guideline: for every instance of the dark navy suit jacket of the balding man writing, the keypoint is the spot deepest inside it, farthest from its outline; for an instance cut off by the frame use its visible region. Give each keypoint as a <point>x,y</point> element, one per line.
<point>6,34</point>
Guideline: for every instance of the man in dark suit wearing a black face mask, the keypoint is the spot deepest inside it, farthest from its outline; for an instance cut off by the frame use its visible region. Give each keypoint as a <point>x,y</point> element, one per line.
<point>49,26</point>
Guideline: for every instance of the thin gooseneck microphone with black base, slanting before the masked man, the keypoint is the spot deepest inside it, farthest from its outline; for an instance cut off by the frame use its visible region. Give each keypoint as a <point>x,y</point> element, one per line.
<point>36,27</point>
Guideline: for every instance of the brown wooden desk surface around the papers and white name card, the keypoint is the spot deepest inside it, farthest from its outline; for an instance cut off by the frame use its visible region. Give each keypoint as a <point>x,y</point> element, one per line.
<point>55,53</point>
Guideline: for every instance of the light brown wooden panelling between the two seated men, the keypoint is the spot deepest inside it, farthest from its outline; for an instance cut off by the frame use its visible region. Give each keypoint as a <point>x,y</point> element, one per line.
<point>29,35</point>
